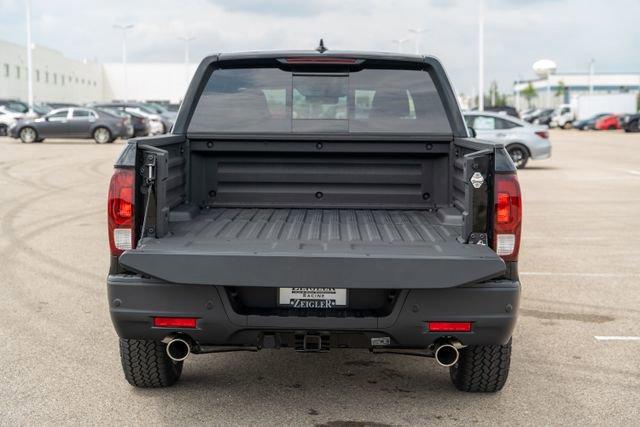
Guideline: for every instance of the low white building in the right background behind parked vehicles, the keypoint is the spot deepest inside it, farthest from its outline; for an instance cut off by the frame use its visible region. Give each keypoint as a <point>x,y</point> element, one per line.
<point>567,87</point>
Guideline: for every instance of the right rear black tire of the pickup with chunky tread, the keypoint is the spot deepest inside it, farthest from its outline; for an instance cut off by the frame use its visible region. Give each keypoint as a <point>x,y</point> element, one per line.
<point>482,368</point>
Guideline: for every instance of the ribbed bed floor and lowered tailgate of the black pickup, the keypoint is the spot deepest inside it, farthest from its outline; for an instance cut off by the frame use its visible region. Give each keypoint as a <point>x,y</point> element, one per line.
<point>355,248</point>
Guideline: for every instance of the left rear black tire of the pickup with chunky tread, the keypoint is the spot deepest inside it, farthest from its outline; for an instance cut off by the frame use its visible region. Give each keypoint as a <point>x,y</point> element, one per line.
<point>147,365</point>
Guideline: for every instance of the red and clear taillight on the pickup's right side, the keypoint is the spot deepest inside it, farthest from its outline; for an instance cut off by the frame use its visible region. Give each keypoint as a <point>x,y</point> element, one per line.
<point>508,216</point>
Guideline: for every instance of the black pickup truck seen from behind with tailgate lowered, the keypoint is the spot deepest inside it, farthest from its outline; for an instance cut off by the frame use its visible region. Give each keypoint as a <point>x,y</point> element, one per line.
<point>316,201</point>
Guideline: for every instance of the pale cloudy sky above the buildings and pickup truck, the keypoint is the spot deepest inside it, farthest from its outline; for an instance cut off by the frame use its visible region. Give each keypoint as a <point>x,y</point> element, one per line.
<point>517,32</point>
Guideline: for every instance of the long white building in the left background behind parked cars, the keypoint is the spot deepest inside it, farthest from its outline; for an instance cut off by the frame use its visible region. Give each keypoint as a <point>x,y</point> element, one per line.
<point>57,78</point>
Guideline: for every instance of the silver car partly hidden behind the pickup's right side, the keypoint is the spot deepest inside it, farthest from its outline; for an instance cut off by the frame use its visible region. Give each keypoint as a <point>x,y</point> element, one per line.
<point>522,140</point>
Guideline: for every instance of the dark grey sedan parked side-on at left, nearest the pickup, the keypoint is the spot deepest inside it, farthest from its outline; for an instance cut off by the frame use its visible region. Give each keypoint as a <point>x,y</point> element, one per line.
<point>100,125</point>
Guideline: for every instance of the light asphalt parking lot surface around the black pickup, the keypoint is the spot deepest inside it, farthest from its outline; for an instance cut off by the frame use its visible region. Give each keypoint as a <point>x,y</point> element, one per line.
<point>580,268</point>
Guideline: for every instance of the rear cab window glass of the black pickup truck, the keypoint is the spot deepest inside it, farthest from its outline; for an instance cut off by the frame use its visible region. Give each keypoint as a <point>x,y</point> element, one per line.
<point>274,100</point>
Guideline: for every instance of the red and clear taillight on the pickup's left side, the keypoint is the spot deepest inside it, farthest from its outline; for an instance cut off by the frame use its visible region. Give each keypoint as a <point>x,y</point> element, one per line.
<point>121,211</point>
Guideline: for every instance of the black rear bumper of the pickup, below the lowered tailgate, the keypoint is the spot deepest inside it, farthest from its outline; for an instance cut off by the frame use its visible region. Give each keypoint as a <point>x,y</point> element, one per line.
<point>491,306</point>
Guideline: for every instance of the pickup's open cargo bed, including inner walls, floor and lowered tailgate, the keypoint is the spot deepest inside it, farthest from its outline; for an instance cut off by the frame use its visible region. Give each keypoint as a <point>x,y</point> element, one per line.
<point>240,215</point>
